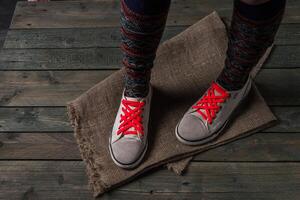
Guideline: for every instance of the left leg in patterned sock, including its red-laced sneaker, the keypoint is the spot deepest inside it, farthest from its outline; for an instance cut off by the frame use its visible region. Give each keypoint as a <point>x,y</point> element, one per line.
<point>142,25</point>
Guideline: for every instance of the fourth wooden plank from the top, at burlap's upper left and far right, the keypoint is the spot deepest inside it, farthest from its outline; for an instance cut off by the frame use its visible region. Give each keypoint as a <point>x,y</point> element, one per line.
<point>56,88</point>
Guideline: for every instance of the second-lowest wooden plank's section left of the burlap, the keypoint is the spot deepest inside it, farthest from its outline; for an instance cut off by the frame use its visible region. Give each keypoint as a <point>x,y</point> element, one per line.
<point>41,146</point>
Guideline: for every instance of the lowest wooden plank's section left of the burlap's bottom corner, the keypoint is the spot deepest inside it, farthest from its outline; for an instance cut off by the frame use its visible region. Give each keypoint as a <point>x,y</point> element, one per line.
<point>43,180</point>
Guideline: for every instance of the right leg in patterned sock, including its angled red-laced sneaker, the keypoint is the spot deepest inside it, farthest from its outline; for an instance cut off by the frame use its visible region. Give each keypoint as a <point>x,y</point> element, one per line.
<point>253,28</point>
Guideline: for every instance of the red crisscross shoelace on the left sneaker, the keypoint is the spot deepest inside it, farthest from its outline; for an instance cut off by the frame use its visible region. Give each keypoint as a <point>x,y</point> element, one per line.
<point>131,118</point>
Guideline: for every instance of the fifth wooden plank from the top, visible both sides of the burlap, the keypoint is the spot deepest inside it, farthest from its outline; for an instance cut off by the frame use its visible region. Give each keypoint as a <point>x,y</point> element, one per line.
<point>54,119</point>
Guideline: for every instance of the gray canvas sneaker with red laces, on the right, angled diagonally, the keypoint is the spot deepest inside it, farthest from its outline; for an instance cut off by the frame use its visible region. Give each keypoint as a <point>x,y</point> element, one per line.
<point>205,120</point>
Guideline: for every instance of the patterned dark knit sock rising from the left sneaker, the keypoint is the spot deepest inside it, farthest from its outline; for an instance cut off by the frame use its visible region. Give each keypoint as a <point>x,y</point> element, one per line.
<point>142,25</point>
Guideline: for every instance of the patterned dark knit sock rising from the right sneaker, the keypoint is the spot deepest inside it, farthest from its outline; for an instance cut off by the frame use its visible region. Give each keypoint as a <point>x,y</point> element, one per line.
<point>252,31</point>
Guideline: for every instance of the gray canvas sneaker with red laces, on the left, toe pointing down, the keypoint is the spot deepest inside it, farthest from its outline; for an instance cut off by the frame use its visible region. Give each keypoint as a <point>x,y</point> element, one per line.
<point>128,142</point>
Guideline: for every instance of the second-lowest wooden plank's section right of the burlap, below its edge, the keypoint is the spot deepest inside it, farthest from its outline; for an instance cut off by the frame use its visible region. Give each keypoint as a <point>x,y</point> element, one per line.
<point>260,147</point>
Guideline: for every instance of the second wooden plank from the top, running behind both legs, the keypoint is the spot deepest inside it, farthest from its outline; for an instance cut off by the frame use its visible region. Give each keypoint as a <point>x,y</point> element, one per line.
<point>288,34</point>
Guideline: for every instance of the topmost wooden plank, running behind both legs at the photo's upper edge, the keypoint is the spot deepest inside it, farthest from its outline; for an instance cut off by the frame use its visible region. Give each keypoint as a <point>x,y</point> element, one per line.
<point>105,14</point>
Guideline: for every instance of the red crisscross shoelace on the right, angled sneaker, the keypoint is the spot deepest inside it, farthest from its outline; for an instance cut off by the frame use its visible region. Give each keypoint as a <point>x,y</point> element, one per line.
<point>210,104</point>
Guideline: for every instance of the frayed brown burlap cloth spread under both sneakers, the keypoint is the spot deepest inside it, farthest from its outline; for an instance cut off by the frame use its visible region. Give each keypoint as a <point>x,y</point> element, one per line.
<point>184,68</point>
